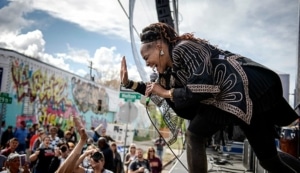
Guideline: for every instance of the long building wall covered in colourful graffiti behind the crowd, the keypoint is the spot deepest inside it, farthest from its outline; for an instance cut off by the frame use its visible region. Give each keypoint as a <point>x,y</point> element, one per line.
<point>46,95</point>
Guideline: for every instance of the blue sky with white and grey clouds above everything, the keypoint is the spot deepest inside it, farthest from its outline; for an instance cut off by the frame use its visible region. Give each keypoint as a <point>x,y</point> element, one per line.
<point>71,33</point>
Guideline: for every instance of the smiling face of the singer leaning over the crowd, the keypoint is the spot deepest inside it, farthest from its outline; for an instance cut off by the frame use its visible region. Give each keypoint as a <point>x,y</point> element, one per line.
<point>151,54</point>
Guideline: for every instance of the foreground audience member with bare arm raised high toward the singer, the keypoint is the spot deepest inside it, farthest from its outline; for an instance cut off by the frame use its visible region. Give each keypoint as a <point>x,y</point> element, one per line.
<point>97,158</point>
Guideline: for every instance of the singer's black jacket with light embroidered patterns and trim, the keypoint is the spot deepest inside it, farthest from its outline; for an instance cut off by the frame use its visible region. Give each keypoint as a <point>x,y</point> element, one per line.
<point>211,76</point>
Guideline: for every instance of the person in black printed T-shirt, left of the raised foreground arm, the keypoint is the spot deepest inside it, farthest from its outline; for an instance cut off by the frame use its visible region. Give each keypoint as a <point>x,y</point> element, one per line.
<point>43,157</point>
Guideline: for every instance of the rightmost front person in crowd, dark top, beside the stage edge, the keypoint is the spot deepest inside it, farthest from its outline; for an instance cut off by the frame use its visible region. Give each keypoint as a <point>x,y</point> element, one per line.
<point>154,161</point>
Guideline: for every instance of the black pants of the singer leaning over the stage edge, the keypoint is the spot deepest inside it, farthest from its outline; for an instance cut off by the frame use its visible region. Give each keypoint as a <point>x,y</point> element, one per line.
<point>260,134</point>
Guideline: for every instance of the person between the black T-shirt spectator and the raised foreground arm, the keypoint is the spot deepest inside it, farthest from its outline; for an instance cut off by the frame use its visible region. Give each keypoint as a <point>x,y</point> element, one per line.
<point>61,153</point>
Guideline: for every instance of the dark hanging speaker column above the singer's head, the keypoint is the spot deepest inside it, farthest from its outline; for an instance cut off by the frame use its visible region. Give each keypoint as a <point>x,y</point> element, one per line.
<point>164,12</point>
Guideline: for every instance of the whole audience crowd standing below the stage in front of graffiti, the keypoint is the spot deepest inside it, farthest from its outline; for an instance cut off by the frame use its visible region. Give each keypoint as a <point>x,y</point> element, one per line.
<point>52,150</point>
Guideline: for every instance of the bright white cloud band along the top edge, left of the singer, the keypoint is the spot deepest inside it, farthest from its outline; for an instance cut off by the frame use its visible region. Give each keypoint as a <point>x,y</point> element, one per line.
<point>97,16</point>
